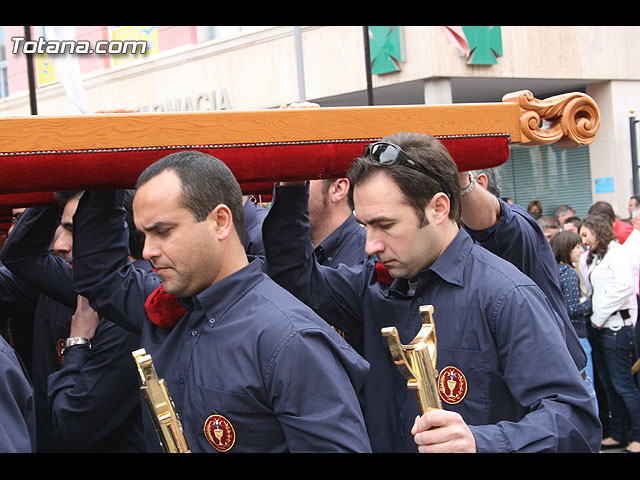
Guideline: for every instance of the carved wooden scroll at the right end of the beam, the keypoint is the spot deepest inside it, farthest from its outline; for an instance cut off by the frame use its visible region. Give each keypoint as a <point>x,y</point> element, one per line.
<point>567,120</point>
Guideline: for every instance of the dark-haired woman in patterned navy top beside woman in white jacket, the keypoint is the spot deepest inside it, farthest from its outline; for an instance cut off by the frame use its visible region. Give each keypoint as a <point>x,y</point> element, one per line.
<point>567,249</point>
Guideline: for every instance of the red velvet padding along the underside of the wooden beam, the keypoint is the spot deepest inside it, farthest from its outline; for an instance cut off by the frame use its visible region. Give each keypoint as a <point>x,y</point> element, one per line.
<point>45,172</point>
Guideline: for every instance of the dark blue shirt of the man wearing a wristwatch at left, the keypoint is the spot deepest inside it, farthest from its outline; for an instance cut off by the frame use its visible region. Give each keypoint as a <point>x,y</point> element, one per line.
<point>91,402</point>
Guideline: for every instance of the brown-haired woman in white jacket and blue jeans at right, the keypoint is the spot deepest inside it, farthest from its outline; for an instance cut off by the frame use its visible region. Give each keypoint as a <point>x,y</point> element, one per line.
<point>613,308</point>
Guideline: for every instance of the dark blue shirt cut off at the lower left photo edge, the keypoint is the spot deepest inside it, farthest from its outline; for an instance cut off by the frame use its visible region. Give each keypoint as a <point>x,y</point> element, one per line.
<point>17,410</point>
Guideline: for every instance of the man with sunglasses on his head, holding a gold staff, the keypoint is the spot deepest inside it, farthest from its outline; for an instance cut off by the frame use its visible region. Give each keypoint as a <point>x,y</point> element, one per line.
<point>498,338</point>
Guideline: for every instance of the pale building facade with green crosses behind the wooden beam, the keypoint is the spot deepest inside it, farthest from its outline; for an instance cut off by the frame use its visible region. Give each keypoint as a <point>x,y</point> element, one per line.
<point>215,68</point>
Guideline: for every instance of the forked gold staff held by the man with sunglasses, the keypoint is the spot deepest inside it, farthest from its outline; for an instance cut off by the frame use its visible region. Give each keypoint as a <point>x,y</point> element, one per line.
<point>417,360</point>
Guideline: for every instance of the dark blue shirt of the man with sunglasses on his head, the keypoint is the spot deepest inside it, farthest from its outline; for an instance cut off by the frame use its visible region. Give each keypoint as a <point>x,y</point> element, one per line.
<point>493,324</point>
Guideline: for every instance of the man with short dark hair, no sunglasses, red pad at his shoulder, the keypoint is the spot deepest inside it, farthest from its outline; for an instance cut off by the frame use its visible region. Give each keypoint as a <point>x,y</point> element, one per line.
<point>238,354</point>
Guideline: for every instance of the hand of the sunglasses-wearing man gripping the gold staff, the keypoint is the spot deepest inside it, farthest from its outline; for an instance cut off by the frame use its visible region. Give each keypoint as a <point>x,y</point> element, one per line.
<point>442,431</point>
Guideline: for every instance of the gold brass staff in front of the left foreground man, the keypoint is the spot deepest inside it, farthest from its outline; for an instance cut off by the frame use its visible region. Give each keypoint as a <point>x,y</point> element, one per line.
<point>163,414</point>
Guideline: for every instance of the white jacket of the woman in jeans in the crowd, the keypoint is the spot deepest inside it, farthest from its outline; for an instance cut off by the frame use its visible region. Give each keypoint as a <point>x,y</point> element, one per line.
<point>613,288</point>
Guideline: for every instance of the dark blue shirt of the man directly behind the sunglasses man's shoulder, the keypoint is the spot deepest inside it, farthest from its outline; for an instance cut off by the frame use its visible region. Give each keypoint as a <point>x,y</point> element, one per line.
<point>519,239</point>
